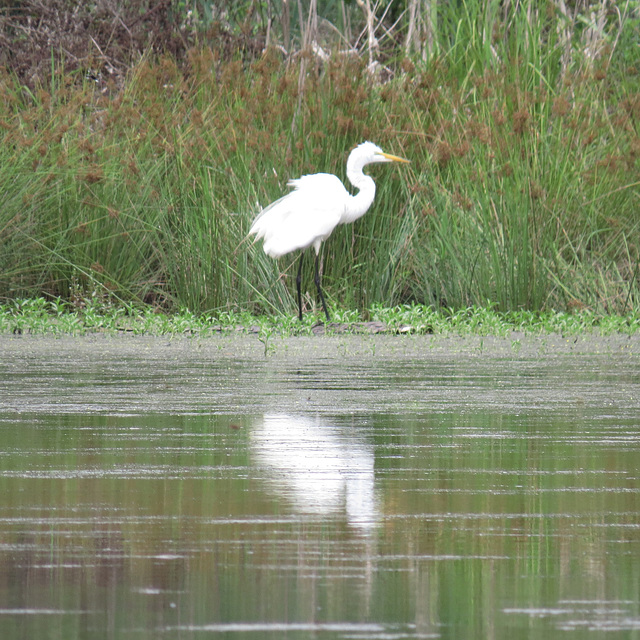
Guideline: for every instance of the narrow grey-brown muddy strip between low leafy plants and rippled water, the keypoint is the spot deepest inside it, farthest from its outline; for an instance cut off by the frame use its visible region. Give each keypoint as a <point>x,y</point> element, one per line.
<point>251,345</point>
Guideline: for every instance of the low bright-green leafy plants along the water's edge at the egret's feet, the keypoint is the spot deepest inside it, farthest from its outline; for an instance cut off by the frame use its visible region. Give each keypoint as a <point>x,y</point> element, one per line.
<point>56,317</point>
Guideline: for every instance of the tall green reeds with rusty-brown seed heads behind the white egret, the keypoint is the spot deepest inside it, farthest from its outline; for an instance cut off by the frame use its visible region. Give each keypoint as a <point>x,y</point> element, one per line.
<point>522,193</point>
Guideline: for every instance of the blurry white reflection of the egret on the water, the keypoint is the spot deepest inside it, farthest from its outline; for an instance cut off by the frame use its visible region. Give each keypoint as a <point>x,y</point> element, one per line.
<point>319,468</point>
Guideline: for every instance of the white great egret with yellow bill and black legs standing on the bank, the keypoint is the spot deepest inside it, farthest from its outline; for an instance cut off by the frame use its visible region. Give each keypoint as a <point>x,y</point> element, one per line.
<point>317,205</point>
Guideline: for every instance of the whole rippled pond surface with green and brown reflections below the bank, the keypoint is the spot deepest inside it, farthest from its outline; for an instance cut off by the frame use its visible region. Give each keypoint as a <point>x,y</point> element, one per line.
<point>366,488</point>
